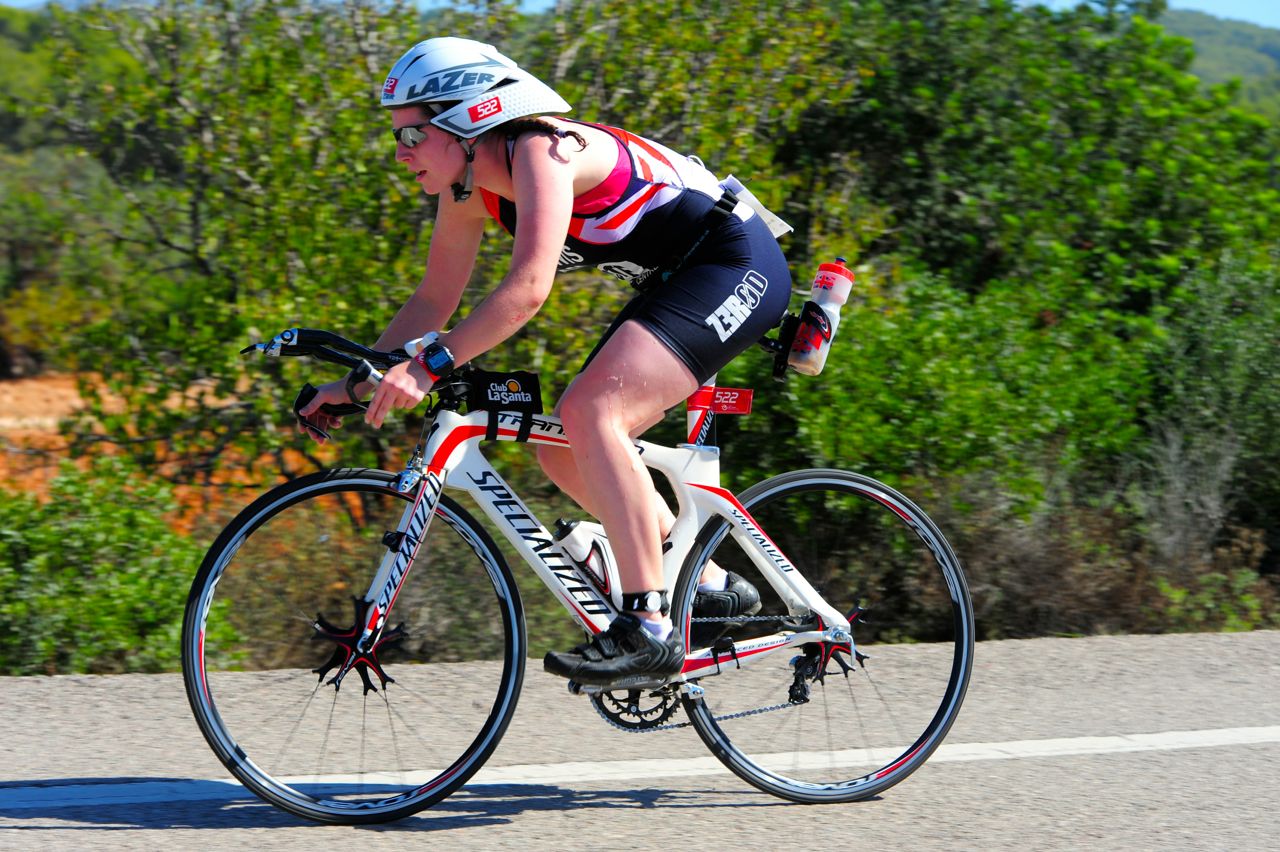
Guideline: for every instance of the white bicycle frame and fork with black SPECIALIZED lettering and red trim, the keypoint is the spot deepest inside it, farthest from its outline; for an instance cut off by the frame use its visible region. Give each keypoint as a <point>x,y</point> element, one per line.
<point>452,459</point>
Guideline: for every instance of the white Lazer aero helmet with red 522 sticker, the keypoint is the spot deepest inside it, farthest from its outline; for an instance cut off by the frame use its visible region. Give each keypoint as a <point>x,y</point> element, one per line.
<point>468,85</point>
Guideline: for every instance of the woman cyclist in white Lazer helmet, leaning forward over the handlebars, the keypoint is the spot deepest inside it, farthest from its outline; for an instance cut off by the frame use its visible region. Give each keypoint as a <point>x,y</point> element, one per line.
<point>476,130</point>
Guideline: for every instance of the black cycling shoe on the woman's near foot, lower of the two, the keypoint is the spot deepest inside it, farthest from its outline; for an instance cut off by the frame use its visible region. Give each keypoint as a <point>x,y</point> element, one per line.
<point>624,654</point>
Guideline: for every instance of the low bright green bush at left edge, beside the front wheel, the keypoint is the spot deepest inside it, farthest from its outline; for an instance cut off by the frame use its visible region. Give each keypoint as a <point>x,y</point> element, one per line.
<point>94,579</point>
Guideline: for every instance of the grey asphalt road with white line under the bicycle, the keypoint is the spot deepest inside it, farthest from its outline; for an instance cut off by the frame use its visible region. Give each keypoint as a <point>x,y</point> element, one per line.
<point>1112,743</point>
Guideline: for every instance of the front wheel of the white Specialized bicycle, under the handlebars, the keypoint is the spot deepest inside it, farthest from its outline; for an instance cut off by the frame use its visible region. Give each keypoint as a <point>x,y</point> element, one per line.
<point>269,625</point>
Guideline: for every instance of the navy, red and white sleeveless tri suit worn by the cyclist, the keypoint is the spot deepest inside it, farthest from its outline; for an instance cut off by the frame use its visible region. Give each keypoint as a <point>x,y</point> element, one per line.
<point>726,295</point>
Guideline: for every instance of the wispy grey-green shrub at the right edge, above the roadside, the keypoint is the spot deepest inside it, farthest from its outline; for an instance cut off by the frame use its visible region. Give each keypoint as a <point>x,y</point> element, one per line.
<point>1214,454</point>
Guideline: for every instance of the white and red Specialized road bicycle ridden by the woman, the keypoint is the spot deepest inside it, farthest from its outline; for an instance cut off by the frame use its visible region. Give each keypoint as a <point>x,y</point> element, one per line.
<point>842,686</point>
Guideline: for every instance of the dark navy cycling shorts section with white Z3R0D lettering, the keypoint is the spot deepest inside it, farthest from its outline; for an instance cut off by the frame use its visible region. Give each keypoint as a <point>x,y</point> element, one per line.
<point>729,295</point>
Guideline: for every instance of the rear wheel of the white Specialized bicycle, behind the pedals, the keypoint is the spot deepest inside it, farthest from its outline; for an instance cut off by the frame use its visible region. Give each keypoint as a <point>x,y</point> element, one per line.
<point>811,725</point>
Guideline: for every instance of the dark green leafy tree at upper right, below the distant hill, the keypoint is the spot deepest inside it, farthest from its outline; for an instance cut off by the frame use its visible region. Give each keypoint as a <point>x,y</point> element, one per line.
<point>1062,150</point>
